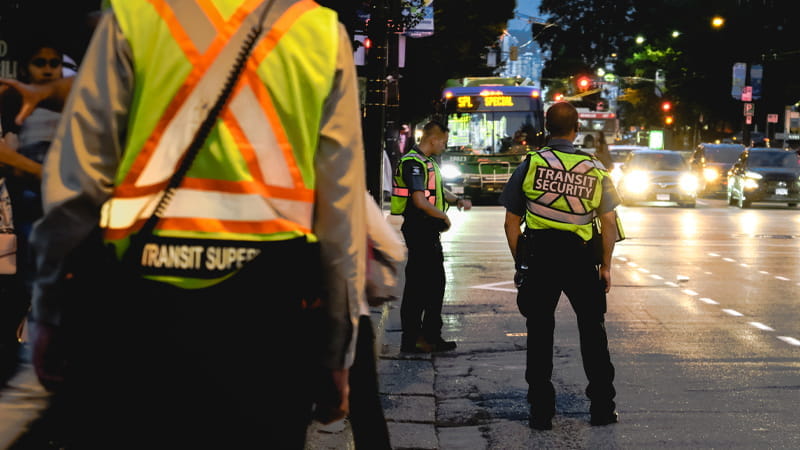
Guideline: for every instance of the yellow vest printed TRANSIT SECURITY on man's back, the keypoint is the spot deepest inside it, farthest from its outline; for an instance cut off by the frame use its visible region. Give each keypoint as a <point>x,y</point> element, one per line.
<point>563,191</point>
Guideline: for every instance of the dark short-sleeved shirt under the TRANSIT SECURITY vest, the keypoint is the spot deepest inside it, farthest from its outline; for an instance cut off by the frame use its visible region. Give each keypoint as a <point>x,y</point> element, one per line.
<point>514,200</point>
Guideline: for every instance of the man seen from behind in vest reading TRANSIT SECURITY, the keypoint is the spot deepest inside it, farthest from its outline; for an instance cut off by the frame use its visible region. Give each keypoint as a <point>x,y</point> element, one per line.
<point>555,194</point>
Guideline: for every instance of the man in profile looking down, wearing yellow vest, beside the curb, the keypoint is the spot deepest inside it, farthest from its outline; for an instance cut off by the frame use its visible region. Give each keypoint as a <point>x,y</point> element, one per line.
<point>418,194</point>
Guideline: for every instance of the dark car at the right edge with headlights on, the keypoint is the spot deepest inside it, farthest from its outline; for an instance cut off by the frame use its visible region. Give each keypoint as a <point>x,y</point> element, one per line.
<point>765,175</point>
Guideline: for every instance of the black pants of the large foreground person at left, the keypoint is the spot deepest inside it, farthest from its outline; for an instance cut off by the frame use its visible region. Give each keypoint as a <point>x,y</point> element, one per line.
<point>230,366</point>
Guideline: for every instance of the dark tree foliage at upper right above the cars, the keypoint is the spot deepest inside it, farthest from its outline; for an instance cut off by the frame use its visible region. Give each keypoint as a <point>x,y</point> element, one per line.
<point>697,62</point>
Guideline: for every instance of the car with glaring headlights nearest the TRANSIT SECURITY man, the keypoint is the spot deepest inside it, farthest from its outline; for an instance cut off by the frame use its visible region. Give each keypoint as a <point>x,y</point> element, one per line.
<point>657,176</point>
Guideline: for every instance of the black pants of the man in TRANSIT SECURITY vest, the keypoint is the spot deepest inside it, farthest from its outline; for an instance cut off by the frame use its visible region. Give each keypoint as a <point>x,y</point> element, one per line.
<point>559,262</point>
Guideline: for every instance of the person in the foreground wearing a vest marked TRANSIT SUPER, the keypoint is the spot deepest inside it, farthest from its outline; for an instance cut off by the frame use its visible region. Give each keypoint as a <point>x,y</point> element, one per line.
<point>246,303</point>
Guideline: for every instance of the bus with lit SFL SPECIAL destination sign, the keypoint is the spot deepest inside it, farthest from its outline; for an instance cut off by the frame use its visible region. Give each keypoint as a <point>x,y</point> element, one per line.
<point>492,128</point>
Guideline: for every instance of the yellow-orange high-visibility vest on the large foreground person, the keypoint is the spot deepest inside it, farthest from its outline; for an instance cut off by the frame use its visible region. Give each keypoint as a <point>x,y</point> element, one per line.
<point>253,181</point>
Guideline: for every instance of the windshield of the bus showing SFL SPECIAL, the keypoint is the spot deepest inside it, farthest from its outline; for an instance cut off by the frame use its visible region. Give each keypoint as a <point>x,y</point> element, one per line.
<point>488,133</point>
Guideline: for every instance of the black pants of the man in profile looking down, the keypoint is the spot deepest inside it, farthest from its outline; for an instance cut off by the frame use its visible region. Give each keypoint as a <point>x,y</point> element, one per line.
<point>421,308</point>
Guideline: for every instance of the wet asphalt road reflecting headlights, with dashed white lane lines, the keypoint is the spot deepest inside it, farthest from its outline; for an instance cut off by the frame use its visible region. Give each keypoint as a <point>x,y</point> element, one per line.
<point>703,324</point>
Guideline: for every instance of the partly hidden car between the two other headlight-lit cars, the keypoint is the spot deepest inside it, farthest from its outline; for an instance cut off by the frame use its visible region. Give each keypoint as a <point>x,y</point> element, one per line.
<point>711,163</point>
